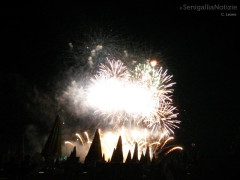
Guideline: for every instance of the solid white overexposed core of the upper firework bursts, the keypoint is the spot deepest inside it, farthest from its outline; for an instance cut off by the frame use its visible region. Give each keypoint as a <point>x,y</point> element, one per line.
<point>117,96</point>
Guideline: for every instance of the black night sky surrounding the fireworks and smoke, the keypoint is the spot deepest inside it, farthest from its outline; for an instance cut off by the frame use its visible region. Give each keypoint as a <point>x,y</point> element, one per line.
<point>200,50</point>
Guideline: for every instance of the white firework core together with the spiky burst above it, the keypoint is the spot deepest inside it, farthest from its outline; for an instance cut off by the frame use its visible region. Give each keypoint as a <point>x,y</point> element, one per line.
<point>115,95</point>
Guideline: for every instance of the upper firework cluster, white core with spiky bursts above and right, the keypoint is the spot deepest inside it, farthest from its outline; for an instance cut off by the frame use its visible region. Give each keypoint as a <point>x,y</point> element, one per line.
<point>142,96</point>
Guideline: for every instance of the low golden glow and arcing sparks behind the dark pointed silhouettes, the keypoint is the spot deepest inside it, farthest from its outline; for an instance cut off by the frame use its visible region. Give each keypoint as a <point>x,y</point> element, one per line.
<point>129,137</point>
